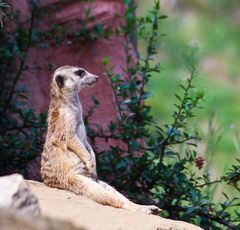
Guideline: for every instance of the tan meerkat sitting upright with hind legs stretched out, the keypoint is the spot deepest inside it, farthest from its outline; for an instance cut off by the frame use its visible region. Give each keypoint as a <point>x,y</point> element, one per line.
<point>68,161</point>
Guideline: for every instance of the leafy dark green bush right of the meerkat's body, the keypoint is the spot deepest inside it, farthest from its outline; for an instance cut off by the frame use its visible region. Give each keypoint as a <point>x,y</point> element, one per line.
<point>159,164</point>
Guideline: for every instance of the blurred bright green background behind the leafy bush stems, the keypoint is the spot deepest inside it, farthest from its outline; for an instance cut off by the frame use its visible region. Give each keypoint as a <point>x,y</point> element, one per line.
<point>214,27</point>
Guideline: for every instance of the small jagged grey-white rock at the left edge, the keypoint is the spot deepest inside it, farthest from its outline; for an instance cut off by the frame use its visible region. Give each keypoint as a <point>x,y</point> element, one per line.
<point>16,197</point>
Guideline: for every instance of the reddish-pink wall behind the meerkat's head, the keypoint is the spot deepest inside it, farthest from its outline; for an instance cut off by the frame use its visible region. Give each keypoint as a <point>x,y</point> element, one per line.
<point>87,54</point>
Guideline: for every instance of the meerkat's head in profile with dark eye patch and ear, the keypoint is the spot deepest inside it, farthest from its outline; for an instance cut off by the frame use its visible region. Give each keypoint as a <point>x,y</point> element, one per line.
<point>73,79</point>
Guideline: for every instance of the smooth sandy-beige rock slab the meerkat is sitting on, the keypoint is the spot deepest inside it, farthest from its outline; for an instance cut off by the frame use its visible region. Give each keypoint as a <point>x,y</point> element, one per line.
<point>64,205</point>
